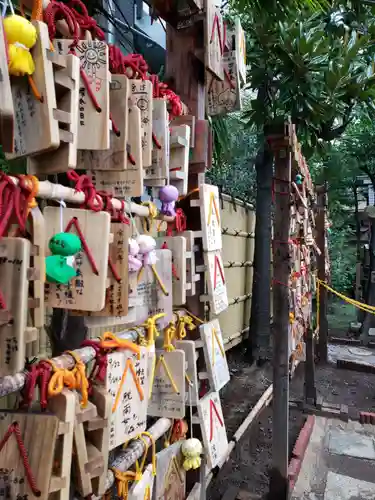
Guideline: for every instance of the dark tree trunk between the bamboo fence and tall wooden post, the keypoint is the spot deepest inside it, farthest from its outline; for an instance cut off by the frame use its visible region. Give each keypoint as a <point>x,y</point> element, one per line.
<point>260,328</point>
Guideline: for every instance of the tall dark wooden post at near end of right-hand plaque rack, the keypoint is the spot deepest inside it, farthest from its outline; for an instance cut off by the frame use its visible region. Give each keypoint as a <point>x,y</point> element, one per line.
<point>279,484</point>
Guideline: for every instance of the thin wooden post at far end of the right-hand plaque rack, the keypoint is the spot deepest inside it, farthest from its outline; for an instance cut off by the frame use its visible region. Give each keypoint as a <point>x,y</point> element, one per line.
<point>320,228</point>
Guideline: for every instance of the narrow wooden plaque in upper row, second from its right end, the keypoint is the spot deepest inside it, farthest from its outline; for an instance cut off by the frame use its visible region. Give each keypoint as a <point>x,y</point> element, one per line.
<point>158,173</point>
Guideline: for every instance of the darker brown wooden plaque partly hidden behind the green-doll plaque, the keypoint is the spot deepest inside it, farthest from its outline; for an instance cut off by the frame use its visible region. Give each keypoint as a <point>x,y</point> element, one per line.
<point>116,299</point>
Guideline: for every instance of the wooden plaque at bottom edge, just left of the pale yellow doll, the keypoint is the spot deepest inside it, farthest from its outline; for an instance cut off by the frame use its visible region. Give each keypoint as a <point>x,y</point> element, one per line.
<point>170,480</point>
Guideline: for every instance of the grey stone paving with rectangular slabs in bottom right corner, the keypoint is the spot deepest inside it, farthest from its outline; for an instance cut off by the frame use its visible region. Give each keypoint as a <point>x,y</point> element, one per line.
<point>339,463</point>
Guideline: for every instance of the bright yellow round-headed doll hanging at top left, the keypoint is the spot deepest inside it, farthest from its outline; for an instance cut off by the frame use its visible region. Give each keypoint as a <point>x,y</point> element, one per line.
<point>21,36</point>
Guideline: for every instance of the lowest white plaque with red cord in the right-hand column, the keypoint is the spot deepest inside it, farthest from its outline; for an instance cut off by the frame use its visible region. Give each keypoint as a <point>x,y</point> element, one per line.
<point>214,434</point>
